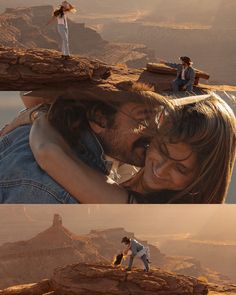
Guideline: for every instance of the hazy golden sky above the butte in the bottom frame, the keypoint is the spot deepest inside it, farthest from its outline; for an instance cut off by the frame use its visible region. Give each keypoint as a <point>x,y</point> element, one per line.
<point>23,222</point>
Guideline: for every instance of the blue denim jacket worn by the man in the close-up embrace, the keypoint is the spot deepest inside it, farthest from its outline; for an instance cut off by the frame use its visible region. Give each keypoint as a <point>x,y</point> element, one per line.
<point>23,181</point>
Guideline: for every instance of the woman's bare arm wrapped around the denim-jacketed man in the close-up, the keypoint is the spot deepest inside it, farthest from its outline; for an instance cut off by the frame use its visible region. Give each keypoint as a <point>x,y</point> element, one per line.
<point>55,156</point>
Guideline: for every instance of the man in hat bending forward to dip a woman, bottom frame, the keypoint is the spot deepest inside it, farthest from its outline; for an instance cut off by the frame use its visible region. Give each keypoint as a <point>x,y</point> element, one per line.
<point>138,250</point>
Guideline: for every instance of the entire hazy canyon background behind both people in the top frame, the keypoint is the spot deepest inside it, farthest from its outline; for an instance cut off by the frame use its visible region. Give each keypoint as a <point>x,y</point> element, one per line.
<point>133,33</point>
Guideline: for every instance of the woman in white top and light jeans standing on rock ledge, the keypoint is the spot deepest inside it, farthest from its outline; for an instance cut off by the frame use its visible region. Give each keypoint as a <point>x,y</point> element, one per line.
<point>62,26</point>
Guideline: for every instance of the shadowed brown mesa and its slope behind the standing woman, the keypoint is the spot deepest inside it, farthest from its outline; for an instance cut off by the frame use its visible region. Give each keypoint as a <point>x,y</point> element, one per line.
<point>25,28</point>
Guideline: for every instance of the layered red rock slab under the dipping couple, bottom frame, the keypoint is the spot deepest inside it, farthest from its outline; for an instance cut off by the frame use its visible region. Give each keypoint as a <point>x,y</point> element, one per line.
<point>104,279</point>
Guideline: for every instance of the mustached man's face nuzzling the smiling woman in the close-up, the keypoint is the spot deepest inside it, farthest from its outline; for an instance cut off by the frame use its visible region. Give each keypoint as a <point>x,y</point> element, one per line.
<point>126,140</point>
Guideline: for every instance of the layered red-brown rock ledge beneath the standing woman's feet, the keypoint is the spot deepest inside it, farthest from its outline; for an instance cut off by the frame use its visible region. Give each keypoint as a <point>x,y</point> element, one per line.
<point>27,69</point>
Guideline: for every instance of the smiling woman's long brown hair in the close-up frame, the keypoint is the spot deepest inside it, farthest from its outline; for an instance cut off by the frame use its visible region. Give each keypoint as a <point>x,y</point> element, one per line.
<point>209,127</point>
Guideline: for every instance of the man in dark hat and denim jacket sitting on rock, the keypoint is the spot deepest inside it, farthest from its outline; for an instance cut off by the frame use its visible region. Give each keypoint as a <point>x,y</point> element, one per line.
<point>185,75</point>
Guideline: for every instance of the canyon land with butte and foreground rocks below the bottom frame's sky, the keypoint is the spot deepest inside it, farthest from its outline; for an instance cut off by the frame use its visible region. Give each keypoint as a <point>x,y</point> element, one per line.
<point>53,257</point>
